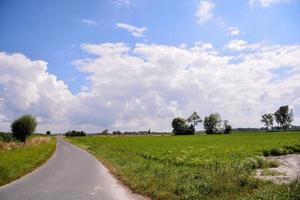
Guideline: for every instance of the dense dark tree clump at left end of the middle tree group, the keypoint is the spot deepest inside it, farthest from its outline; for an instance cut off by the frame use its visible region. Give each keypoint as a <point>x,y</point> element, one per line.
<point>180,127</point>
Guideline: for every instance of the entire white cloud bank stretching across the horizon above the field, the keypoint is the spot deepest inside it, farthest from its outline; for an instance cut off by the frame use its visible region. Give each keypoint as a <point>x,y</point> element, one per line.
<point>145,86</point>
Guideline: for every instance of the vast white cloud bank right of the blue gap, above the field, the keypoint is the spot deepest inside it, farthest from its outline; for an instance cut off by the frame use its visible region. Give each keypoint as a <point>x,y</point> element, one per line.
<point>151,84</point>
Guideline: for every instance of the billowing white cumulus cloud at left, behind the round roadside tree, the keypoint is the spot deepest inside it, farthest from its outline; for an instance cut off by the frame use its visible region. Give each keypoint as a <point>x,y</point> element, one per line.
<point>27,87</point>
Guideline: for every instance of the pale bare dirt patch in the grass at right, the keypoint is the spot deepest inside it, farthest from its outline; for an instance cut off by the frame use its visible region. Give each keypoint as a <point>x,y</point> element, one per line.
<point>288,170</point>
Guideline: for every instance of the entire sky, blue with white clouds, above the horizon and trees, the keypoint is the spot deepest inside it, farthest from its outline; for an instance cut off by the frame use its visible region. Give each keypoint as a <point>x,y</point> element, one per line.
<point>135,65</point>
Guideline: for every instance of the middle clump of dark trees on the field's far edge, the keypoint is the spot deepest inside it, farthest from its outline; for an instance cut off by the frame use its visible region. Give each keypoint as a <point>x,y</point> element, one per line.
<point>212,124</point>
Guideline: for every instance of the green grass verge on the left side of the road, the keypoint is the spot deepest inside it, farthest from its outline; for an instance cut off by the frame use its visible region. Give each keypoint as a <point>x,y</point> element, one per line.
<point>17,159</point>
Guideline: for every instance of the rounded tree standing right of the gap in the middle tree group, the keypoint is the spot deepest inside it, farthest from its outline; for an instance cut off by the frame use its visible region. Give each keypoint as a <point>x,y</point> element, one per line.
<point>212,123</point>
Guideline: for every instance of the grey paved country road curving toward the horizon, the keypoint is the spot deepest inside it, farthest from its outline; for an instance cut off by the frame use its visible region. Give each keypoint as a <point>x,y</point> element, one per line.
<point>70,174</point>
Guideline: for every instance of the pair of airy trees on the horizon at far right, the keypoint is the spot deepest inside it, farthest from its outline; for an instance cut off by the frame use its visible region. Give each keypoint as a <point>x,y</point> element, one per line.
<point>283,116</point>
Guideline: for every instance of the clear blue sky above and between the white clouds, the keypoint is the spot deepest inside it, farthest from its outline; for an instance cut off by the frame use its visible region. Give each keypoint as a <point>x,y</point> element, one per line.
<point>53,30</point>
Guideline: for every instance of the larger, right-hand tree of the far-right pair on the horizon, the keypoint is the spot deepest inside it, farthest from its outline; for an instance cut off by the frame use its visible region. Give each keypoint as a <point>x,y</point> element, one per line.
<point>284,117</point>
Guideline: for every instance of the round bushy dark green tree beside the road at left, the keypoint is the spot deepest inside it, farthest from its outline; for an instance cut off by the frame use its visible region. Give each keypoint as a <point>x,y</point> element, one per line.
<point>23,127</point>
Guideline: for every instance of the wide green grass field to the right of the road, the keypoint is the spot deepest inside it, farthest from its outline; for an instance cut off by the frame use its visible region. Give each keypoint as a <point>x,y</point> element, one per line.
<point>193,167</point>
